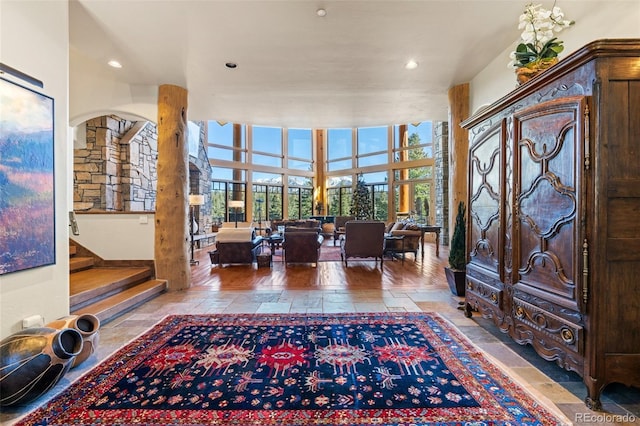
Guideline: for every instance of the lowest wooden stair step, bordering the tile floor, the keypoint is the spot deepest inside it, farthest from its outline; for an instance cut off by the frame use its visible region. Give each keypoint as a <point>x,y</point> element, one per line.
<point>117,304</point>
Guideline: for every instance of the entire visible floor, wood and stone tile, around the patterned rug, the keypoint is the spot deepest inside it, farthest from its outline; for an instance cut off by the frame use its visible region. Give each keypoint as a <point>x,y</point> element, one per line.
<point>412,285</point>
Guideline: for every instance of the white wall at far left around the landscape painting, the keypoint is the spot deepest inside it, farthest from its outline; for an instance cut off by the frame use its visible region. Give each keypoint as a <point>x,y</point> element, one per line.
<point>34,39</point>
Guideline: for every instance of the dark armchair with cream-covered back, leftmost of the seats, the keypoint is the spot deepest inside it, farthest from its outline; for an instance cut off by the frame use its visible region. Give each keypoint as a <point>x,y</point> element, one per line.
<point>235,245</point>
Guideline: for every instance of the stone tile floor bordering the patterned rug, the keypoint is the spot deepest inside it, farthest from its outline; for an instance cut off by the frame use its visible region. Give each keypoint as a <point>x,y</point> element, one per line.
<point>560,390</point>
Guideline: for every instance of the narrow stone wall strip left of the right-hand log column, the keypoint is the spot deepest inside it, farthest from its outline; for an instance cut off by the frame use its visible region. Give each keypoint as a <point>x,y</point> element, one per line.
<point>441,160</point>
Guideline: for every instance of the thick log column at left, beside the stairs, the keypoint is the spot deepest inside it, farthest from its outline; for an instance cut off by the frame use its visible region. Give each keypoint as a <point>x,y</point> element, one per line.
<point>172,234</point>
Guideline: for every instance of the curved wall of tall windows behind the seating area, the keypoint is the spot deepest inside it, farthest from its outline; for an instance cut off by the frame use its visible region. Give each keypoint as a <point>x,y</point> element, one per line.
<point>281,165</point>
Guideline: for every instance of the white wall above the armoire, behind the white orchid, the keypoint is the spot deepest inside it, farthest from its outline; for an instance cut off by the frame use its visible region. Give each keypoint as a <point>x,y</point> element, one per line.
<point>611,19</point>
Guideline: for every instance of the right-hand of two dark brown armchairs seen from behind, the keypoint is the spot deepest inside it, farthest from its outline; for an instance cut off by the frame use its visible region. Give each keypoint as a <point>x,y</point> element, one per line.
<point>363,239</point>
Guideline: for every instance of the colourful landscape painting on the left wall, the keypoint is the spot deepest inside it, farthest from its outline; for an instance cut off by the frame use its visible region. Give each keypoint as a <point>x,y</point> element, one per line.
<point>27,216</point>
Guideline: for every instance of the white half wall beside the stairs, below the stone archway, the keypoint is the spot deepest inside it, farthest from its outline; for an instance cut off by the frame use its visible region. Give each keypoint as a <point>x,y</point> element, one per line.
<point>117,236</point>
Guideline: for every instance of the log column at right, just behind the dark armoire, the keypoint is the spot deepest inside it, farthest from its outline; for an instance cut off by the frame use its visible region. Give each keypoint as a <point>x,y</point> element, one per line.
<point>458,150</point>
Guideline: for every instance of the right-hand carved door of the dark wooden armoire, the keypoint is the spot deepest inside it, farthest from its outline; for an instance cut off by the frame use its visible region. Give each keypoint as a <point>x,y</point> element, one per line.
<point>549,154</point>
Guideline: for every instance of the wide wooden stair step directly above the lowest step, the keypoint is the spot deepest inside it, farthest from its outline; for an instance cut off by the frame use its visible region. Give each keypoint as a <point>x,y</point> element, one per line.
<point>100,282</point>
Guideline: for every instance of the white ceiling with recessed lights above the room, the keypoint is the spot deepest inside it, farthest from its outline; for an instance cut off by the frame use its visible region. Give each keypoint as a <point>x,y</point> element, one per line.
<point>296,69</point>
